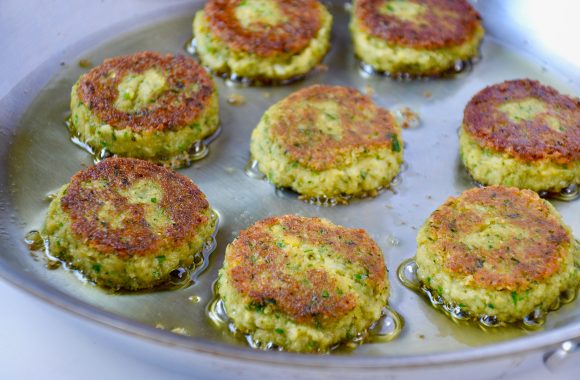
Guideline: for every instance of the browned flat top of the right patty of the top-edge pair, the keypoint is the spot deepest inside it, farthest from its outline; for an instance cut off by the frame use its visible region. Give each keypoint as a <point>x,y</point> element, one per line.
<point>421,24</point>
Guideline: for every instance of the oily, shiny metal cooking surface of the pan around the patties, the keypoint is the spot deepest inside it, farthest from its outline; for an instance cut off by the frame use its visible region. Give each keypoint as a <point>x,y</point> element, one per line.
<point>36,157</point>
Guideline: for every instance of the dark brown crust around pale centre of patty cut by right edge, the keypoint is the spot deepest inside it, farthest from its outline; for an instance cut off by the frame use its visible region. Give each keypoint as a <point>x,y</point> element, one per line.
<point>528,140</point>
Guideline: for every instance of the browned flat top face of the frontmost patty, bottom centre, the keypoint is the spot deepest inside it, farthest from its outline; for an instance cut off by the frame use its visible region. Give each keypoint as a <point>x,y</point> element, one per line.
<point>269,264</point>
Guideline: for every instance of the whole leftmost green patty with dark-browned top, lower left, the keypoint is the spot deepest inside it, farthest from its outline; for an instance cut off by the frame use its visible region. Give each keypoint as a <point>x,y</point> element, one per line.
<point>127,223</point>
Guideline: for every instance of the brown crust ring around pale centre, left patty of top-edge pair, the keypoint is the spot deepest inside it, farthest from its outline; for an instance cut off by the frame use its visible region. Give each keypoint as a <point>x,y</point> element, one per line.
<point>290,37</point>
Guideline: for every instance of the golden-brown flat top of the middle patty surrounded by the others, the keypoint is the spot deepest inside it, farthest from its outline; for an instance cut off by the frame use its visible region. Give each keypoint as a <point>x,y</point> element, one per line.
<point>321,127</point>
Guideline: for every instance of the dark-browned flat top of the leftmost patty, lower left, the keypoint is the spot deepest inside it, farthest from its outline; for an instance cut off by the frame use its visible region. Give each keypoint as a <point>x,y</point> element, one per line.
<point>127,207</point>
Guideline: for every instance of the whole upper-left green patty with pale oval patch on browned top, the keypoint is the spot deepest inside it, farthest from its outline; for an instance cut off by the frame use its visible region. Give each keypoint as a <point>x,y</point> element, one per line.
<point>146,105</point>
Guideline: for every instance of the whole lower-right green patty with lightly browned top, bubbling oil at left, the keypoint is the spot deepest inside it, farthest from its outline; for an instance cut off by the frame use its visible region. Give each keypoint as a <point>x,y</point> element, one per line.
<point>497,251</point>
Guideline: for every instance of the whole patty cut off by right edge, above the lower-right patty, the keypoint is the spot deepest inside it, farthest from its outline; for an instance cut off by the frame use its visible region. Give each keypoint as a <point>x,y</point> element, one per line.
<point>524,134</point>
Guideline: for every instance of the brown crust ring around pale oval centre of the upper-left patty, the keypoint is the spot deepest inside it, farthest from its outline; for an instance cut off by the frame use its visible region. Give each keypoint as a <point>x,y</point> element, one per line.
<point>174,109</point>
